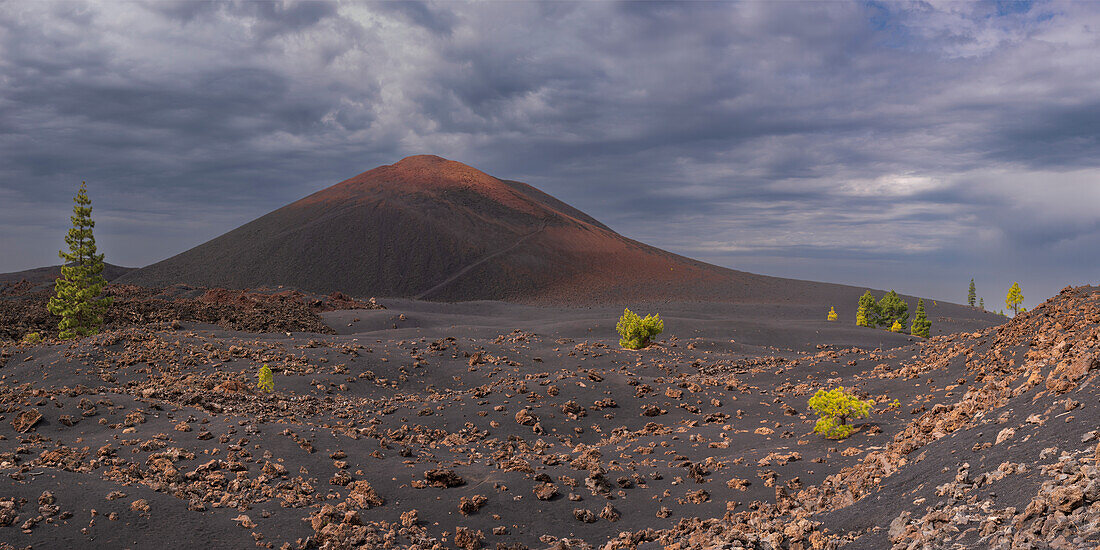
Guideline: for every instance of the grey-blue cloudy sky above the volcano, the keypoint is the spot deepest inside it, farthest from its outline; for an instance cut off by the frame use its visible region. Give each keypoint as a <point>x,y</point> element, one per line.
<point>886,145</point>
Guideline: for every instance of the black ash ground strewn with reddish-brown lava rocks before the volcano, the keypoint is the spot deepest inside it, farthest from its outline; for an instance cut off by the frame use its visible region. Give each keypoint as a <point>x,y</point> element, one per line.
<point>487,425</point>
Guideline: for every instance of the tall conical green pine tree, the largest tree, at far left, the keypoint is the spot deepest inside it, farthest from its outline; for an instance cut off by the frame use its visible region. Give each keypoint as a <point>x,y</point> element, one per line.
<point>78,293</point>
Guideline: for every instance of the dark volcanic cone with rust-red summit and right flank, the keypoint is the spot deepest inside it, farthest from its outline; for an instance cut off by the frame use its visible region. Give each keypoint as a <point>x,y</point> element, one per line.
<point>439,230</point>
